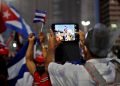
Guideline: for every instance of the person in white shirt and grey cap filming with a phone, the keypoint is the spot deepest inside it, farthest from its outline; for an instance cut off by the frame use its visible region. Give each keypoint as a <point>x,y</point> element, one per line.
<point>96,46</point>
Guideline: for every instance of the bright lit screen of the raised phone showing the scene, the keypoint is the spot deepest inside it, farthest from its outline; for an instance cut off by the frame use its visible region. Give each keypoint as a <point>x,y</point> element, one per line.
<point>65,32</point>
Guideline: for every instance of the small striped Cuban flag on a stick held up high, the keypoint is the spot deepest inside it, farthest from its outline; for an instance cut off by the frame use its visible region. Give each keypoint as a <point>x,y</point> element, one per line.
<point>40,16</point>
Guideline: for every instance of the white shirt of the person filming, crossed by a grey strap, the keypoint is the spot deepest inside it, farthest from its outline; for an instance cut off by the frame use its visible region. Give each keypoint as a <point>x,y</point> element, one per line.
<point>76,75</point>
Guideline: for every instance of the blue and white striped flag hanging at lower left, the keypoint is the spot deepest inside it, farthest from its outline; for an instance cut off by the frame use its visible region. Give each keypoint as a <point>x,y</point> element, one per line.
<point>17,70</point>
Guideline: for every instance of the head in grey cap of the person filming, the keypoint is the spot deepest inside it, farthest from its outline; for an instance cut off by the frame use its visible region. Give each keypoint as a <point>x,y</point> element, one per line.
<point>98,41</point>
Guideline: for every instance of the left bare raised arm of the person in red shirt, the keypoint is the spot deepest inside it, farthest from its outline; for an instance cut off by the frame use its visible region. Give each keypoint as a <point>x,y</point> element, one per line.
<point>29,54</point>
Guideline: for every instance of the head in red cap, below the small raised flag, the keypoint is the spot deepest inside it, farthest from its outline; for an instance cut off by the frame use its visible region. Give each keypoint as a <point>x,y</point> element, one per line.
<point>40,64</point>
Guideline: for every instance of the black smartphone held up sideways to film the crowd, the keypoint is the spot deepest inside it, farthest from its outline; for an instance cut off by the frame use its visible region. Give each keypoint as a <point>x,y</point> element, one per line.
<point>66,31</point>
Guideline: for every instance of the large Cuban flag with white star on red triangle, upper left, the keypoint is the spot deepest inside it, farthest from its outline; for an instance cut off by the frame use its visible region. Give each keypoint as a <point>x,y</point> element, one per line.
<point>14,21</point>
